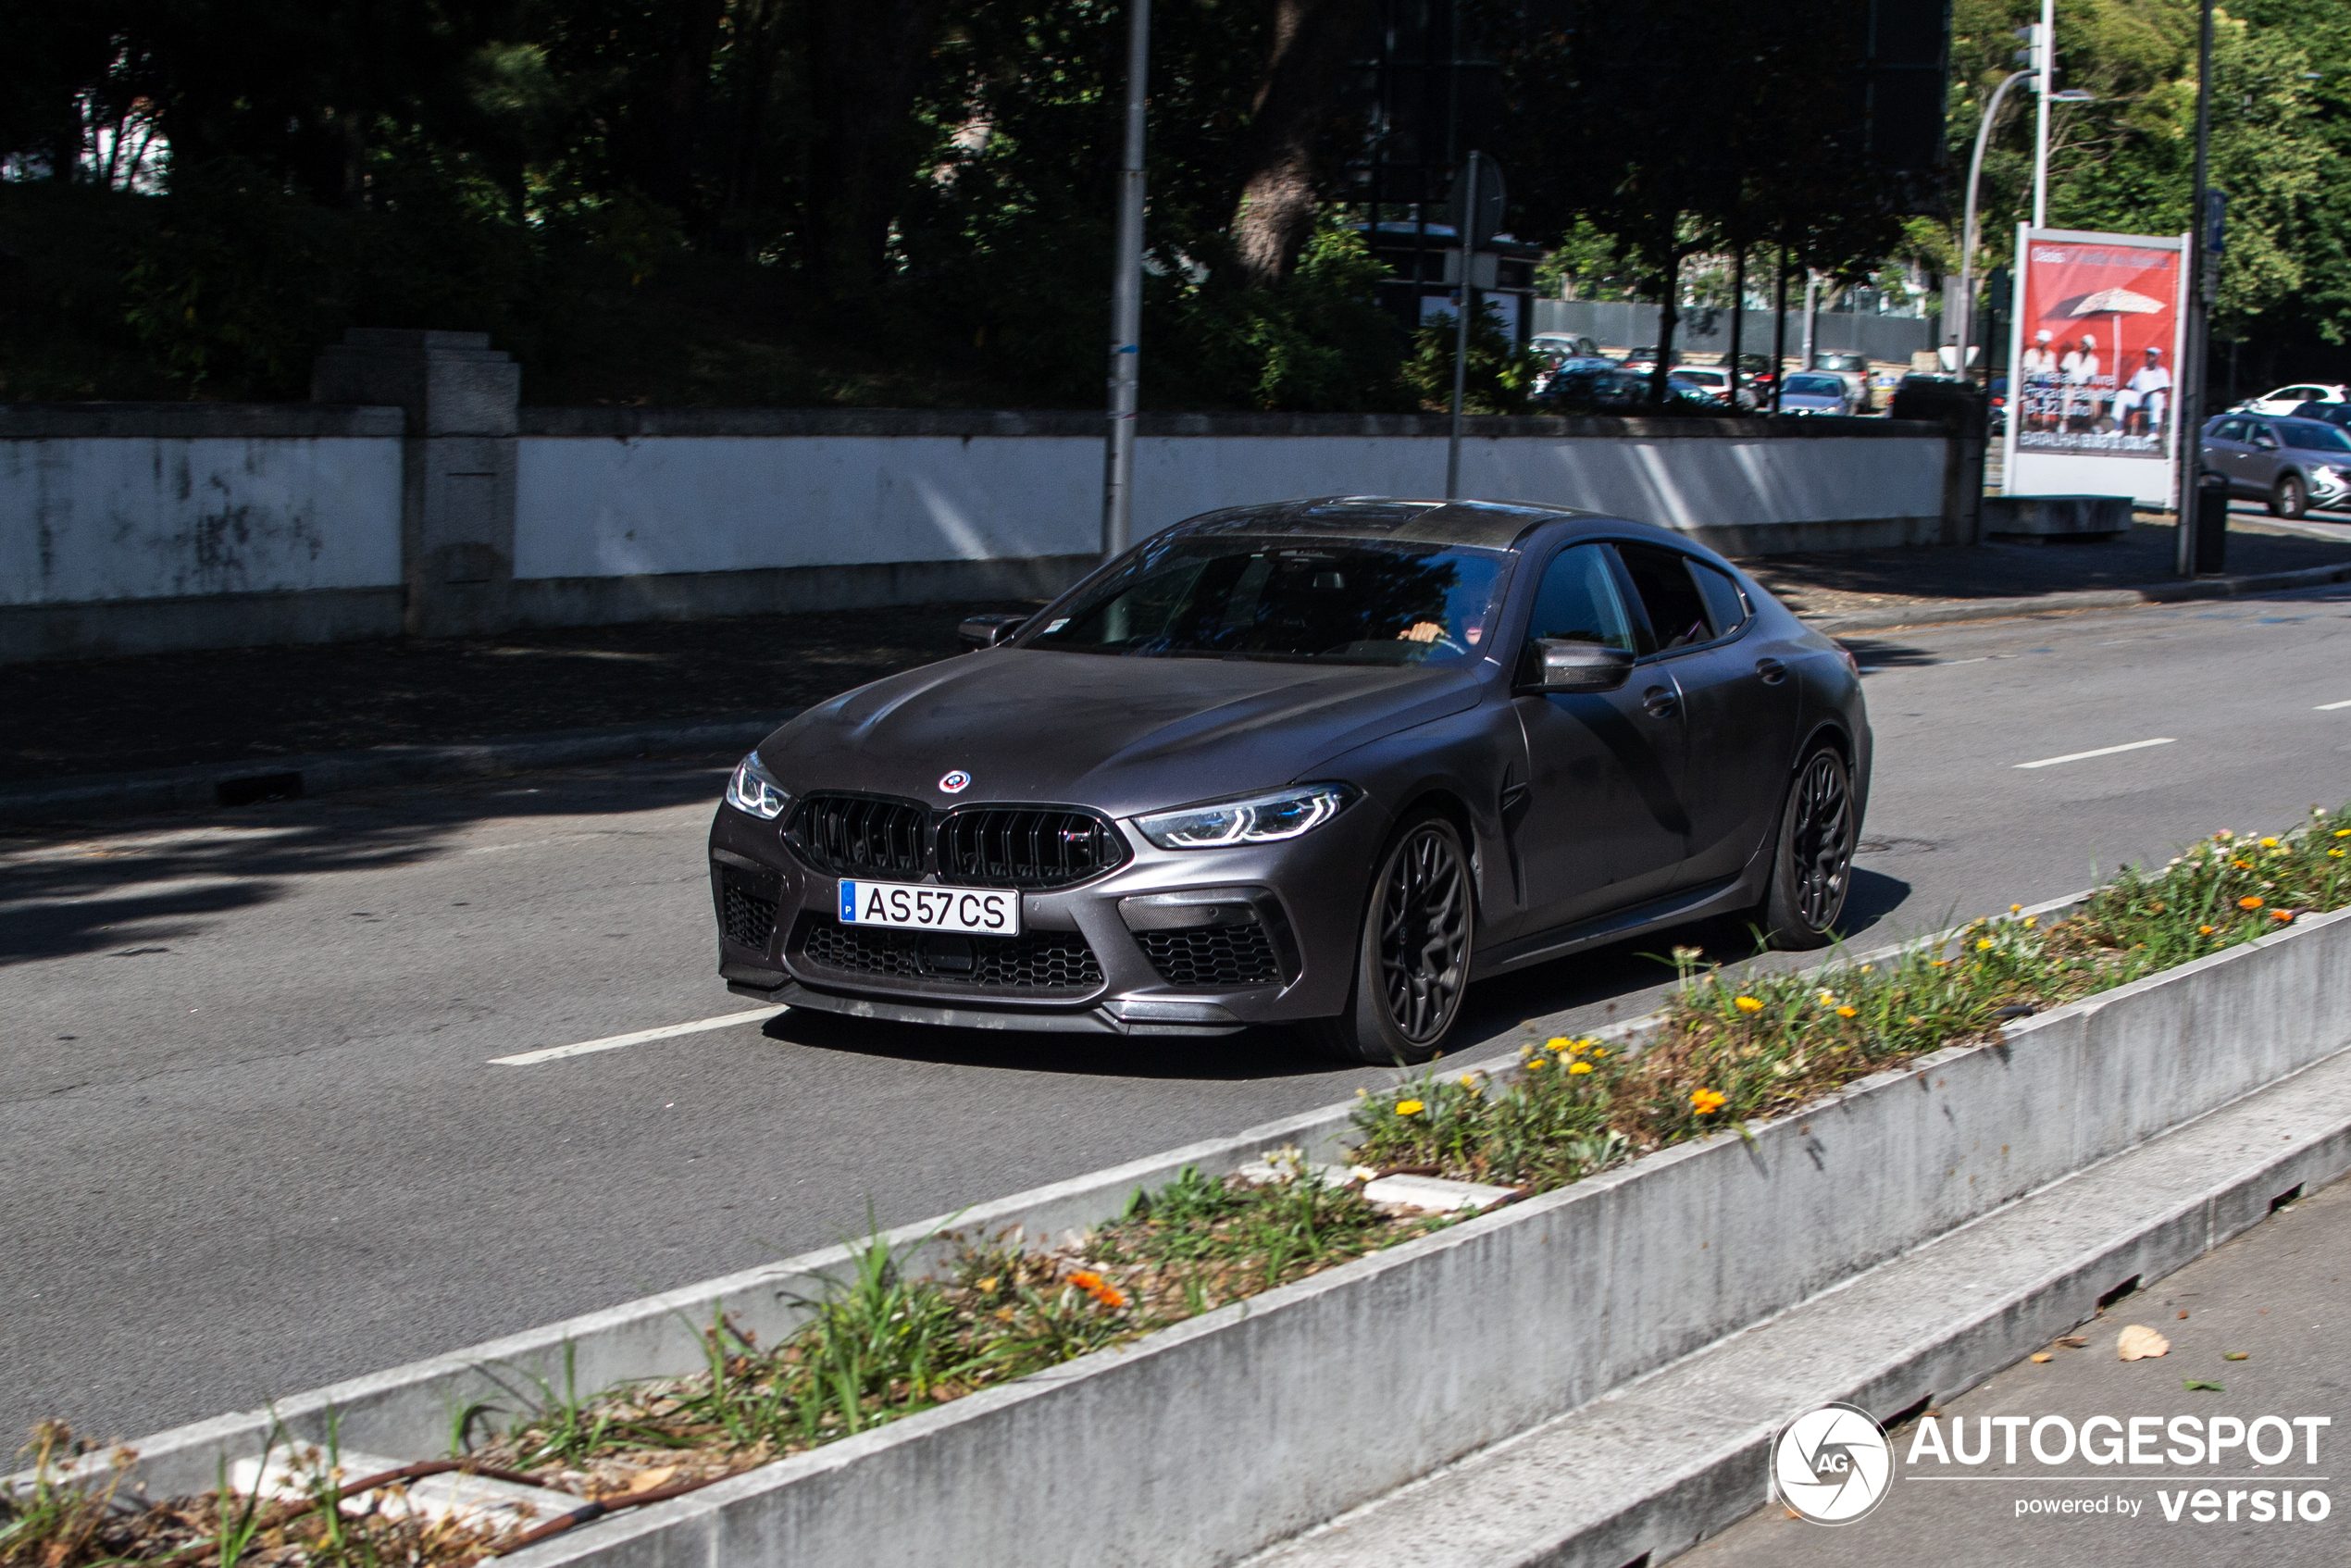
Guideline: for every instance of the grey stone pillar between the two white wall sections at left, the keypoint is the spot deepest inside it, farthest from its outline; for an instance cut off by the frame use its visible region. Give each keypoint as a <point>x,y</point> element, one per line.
<point>457,474</point>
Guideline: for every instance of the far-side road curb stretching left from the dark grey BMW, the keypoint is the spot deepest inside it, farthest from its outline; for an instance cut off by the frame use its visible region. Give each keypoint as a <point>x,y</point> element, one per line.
<point>241,784</point>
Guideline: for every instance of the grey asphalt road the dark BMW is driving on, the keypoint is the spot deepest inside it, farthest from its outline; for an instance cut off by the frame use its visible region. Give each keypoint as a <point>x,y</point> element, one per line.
<point>253,1141</point>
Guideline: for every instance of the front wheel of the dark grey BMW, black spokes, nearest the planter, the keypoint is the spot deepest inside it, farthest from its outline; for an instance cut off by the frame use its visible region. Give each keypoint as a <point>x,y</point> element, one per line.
<point>1412,960</point>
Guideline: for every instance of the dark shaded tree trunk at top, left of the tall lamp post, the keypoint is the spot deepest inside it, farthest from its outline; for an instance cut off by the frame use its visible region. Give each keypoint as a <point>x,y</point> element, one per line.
<point>866,62</point>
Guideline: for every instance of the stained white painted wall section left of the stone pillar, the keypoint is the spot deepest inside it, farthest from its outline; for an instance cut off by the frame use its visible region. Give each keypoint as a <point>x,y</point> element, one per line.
<point>140,518</point>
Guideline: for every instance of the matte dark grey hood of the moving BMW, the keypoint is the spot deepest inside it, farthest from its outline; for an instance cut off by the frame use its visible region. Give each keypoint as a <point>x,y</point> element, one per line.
<point>1118,735</point>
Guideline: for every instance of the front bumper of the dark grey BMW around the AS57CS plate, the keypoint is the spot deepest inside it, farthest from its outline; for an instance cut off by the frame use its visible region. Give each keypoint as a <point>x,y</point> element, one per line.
<point>1170,944</point>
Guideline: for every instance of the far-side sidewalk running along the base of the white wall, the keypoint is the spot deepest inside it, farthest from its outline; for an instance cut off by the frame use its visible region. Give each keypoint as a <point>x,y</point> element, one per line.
<point>246,709</point>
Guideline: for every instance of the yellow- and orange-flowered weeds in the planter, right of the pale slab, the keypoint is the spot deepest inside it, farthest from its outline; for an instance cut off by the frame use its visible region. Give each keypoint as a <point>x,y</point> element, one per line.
<point>1767,1043</point>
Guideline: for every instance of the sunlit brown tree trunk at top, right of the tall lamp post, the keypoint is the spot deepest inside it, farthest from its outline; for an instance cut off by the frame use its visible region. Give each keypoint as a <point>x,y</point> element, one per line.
<point>1297,95</point>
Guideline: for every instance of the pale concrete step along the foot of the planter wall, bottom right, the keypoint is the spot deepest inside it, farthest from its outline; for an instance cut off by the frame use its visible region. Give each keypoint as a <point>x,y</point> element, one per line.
<point>1682,1454</point>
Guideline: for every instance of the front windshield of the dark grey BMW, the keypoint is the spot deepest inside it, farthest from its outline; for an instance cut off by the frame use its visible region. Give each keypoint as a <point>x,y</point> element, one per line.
<point>1235,596</point>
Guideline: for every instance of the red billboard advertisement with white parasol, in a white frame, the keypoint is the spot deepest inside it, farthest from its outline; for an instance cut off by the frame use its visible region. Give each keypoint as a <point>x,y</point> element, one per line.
<point>2094,347</point>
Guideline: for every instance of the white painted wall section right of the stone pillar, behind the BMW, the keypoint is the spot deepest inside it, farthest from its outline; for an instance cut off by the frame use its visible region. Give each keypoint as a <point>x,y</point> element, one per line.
<point>598,507</point>
